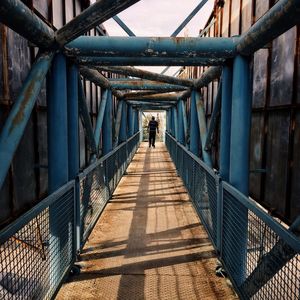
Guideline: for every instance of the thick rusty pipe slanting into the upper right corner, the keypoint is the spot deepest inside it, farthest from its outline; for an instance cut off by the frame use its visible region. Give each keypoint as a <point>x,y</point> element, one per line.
<point>281,17</point>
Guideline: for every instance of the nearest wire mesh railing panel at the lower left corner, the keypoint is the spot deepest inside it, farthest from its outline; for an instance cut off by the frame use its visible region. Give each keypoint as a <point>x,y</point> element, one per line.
<point>37,250</point>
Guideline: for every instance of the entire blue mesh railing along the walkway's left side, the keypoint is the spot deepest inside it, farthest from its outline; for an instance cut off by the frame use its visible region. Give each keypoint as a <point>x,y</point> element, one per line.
<point>39,248</point>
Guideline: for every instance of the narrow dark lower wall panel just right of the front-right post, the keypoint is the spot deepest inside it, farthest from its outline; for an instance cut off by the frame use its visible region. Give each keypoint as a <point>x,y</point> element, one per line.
<point>256,151</point>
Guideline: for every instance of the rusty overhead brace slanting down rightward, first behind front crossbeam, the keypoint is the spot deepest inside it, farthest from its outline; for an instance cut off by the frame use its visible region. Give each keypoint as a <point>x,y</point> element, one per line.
<point>130,71</point>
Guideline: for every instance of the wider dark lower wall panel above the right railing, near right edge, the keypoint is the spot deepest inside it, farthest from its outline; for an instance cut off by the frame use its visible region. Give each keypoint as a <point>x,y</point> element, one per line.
<point>277,155</point>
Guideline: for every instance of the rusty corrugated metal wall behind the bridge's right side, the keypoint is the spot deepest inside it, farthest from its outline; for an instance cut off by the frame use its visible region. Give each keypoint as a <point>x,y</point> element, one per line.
<point>275,136</point>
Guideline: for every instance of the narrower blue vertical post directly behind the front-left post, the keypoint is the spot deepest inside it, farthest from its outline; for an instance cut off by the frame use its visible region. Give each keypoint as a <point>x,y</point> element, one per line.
<point>73,124</point>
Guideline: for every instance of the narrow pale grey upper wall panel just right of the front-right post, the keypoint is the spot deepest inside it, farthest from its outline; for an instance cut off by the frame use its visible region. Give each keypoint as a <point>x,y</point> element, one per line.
<point>260,69</point>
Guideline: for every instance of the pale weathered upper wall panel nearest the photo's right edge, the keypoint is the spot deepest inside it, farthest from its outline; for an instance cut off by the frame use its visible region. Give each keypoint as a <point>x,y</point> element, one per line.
<point>282,68</point>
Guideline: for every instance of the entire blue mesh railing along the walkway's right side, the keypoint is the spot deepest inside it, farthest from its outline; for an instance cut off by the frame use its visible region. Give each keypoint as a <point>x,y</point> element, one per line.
<point>260,256</point>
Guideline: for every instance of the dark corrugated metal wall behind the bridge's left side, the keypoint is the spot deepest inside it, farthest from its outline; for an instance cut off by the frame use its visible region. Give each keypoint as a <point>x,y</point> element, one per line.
<point>27,181</point>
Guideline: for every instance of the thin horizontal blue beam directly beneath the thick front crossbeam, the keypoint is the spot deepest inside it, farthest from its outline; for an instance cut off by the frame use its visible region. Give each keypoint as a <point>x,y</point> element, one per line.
<point>149,61</point>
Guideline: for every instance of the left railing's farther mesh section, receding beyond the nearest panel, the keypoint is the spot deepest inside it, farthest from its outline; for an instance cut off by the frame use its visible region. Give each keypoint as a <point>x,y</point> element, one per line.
<point>98,182</point>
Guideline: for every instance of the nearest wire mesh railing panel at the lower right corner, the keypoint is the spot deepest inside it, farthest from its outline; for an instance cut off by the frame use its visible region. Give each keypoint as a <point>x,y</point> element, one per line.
<point>270,267</point>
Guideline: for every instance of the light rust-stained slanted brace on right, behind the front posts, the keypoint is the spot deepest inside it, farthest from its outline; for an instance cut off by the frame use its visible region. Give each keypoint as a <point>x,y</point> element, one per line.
<point>202,126</point>
